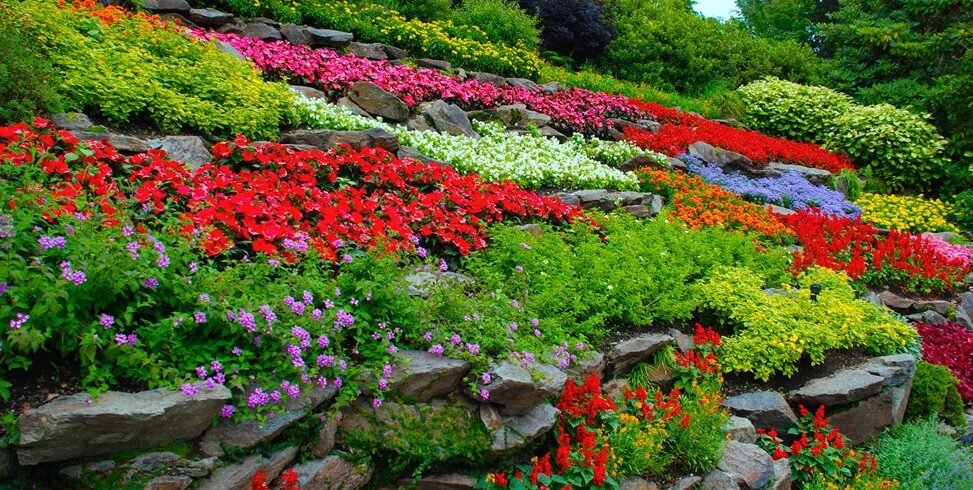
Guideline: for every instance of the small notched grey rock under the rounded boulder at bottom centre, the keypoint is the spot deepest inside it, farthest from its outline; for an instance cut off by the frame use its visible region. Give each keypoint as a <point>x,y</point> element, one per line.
<point>514,432</point>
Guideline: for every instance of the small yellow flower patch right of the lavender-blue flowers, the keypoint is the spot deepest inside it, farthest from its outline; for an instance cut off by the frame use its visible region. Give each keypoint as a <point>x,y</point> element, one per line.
<point>905,213</point>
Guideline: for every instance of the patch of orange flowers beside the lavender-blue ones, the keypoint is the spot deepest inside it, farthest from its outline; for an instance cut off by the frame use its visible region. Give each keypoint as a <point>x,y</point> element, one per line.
<point>699,204</point>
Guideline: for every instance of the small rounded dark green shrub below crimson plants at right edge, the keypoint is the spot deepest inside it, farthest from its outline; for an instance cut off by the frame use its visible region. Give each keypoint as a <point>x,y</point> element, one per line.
<point>934,394</point>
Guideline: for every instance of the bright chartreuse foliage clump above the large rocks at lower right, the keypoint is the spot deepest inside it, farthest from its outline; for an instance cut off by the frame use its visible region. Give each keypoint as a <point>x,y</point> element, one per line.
<point>772,332</point>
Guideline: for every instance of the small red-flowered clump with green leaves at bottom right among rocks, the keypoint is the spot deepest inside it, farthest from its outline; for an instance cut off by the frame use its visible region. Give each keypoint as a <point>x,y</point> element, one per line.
<point>818,456</point>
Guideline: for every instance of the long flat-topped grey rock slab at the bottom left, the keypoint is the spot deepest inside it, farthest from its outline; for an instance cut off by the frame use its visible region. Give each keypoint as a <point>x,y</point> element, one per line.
<point>73,426</point>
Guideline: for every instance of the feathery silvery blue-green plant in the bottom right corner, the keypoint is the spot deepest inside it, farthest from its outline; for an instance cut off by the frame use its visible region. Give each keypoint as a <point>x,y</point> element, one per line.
<point>921,458</point>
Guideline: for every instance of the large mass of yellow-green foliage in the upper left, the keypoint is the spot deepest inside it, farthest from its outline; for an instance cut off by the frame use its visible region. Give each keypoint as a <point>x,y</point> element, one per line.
<point>127,67</point>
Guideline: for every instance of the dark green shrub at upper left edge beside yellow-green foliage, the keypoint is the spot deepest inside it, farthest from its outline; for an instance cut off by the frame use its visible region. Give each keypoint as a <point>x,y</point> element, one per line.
<point>27,79</point>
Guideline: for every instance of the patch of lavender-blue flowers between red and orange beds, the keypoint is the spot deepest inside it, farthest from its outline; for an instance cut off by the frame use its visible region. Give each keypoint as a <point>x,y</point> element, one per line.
<point>791,190</point>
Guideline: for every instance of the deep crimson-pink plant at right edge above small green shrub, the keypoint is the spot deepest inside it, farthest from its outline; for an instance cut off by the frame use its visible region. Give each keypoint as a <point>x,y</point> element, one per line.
<point>950,345</point>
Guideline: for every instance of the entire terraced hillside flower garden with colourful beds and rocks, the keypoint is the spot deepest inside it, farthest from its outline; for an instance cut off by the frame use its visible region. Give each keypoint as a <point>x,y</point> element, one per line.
<point>535,287</point>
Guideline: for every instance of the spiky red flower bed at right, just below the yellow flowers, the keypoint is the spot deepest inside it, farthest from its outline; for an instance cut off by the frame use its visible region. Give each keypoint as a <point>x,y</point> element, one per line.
<point>894,259</point>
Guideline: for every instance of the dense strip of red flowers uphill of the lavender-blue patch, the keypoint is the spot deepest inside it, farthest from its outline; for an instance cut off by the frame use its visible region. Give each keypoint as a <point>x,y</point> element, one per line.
<point>685,129</point>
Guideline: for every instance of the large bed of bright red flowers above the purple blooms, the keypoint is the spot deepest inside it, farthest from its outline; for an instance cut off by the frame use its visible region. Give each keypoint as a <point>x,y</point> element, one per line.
<point>278,198</point>
